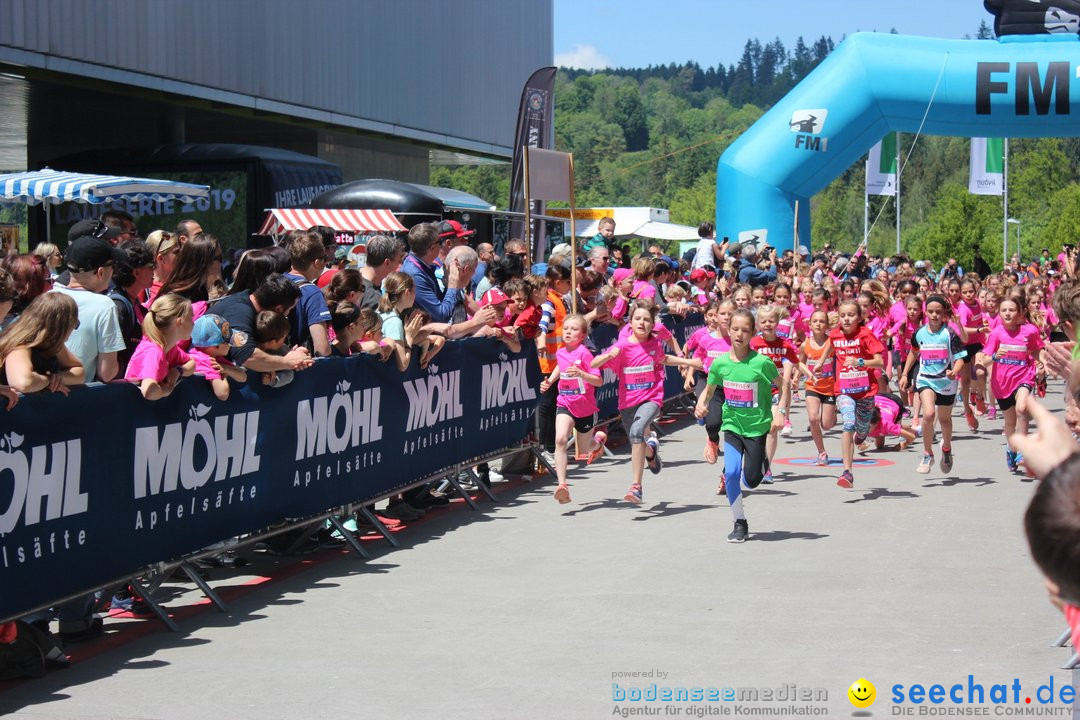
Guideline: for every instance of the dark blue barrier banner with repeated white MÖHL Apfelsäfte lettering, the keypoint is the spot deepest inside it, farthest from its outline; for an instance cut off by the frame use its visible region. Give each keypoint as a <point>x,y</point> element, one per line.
<point>102,483</point>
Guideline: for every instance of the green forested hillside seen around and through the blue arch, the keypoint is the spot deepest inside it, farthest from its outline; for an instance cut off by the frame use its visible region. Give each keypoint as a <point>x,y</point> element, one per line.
<point>653,137</point>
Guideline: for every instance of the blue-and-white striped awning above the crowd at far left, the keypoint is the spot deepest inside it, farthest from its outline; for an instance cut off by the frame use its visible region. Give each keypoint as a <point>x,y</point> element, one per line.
<point>51,187</point>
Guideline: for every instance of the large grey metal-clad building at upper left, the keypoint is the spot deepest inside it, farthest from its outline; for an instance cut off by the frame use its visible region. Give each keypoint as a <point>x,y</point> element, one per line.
<point>373,86</point>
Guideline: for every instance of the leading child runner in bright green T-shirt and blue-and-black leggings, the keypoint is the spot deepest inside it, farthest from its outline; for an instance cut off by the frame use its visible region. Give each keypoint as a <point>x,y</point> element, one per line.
<point>747,379</point>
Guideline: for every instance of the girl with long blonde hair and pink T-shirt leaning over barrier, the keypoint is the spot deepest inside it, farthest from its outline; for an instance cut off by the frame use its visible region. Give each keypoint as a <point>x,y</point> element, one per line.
<point>158,362</point>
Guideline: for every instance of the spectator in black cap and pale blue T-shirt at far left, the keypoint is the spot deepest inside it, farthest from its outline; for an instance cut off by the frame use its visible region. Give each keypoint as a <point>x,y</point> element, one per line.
<point>98,339</point>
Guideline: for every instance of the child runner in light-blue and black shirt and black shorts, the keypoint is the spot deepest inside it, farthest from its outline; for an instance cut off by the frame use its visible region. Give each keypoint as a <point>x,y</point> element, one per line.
<point>941,356</point>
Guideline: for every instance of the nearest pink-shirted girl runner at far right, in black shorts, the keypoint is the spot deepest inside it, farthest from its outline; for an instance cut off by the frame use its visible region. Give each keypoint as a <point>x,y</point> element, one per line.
<point>1015,348</point>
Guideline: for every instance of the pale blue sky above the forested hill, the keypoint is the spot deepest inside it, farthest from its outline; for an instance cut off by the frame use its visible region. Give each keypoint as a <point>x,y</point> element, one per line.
<point>597,34</point>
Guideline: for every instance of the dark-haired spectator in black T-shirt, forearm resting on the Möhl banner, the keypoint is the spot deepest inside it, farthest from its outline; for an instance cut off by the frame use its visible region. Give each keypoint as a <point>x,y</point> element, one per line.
<point>278,294</point>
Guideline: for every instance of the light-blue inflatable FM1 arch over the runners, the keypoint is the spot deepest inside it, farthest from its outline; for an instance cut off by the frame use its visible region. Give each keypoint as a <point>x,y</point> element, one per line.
<point>1020,86</point>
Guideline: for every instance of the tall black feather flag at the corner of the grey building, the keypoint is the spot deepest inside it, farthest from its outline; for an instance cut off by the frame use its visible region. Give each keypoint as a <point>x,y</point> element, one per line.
<point>535,129</point>
